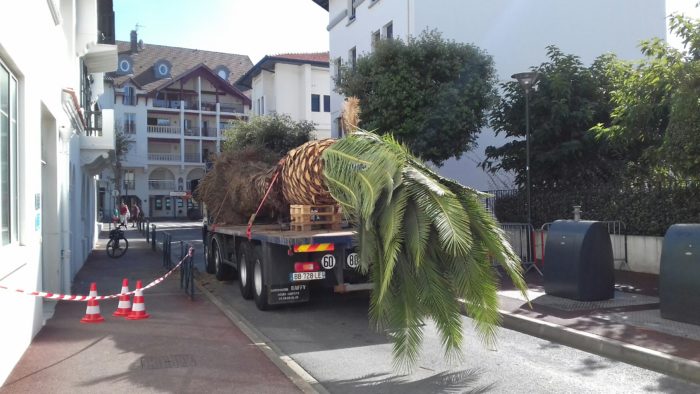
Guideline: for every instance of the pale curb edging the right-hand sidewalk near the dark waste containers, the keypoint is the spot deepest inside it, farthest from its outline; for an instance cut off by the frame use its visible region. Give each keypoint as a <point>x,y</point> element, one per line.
<point>607,347</point>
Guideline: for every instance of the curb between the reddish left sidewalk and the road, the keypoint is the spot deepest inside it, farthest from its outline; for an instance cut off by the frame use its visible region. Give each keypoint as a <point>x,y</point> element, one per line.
<point>302,379</point>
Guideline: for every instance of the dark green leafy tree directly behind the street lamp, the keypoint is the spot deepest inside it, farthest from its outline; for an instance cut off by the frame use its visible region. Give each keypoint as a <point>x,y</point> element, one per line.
<point>569,99</point>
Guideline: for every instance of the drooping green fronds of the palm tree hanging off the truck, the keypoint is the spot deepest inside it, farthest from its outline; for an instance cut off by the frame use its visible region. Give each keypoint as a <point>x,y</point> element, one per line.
<point>427,243</point>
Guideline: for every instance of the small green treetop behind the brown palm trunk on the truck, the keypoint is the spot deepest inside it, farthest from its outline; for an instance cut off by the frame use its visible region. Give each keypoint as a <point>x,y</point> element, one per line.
<point>274,133</point>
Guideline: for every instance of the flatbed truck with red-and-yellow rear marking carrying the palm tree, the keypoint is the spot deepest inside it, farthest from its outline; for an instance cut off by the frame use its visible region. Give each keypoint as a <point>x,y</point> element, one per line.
<point>277,266</point>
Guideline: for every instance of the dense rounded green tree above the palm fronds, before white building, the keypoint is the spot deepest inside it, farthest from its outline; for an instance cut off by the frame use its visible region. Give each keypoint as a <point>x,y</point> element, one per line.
<point>430,93</point>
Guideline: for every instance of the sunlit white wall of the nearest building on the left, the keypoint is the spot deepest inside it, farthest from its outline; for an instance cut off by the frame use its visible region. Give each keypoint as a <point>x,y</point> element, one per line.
<point>53,234</point>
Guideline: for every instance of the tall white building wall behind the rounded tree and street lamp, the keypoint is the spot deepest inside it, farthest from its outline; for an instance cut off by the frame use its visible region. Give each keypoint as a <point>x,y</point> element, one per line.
<point>514,32</point>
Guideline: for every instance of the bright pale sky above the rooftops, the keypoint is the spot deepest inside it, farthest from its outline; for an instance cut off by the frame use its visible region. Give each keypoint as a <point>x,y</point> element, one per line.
<point>248,27</point>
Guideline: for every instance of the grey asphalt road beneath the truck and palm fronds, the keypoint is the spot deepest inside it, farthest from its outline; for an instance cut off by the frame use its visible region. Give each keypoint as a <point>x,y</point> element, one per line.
<point>331,338</point>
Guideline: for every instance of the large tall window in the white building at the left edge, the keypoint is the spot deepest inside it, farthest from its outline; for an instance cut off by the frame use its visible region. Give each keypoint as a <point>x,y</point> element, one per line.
<point>8,155</point>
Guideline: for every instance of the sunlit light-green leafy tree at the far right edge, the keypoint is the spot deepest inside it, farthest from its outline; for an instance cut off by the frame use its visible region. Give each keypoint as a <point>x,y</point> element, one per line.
<point>655,116</point>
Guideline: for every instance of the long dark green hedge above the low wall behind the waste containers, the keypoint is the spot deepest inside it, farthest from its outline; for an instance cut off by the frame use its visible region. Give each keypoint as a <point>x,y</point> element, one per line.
<point>647,210</point>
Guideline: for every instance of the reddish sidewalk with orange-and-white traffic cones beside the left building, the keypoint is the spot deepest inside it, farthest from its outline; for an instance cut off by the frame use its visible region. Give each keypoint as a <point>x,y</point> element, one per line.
<point>185,346</point>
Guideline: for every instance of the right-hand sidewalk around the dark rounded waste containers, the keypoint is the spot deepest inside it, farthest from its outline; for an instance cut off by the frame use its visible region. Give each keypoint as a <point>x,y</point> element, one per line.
<point>628,328</point>
